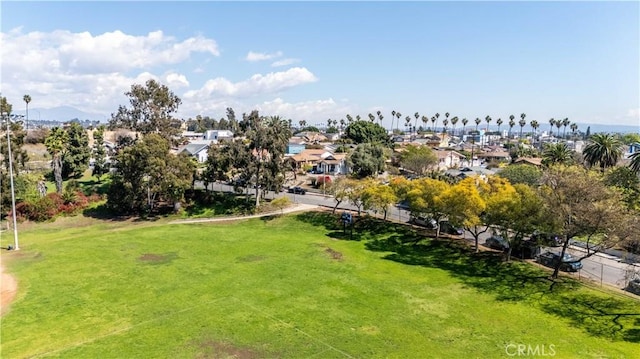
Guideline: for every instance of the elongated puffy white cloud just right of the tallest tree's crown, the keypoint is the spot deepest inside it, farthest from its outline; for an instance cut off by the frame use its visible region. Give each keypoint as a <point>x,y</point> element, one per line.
<point>256,84</point>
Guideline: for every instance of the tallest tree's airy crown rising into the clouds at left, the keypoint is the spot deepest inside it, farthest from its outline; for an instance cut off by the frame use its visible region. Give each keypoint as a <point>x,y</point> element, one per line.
<point>151,110</point>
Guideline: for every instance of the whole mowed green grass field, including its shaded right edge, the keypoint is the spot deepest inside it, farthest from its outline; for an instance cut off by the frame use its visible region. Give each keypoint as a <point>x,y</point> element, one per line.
<point>291,287</point>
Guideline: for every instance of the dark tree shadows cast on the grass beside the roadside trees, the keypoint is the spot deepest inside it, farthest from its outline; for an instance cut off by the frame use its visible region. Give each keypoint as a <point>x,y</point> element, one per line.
<point>599,315</point>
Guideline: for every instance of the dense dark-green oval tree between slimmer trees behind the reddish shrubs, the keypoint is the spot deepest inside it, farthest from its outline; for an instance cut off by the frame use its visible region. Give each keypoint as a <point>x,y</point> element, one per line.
<point>77,153</point>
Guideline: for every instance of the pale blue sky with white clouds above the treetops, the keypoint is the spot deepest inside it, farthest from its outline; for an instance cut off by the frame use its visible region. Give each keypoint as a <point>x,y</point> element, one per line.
<point>318,60</point>
